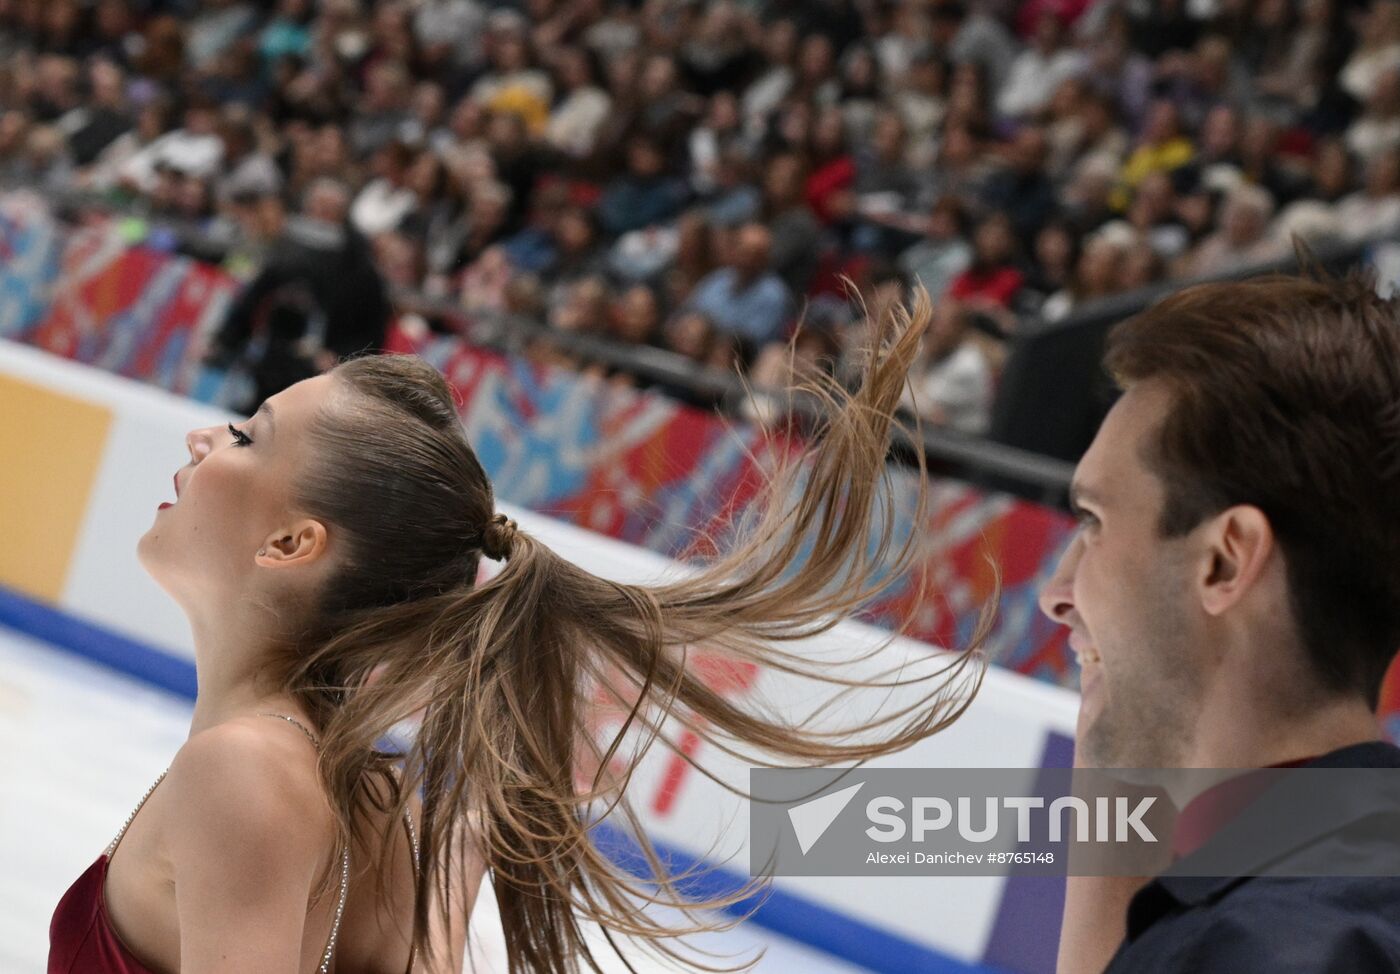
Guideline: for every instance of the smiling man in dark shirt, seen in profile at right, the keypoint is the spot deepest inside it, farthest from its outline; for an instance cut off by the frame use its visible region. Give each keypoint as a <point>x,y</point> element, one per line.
<point>1234,598</point>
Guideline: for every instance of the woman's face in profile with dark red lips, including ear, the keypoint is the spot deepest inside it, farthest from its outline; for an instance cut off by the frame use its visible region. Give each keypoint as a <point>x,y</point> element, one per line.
<point>234,497</point>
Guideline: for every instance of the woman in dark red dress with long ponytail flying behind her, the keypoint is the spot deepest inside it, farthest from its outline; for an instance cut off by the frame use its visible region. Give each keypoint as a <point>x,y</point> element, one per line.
<point>327,555</point>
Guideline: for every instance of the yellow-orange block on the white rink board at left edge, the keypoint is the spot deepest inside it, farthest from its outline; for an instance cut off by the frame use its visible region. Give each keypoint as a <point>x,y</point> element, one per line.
<point>51,447</point>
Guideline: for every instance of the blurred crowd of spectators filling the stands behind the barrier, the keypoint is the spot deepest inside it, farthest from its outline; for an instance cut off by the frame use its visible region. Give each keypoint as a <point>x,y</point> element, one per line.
<point>699,176</point>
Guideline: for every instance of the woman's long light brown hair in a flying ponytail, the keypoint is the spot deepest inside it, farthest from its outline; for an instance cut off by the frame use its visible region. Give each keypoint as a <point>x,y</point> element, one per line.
<point>503,675</point>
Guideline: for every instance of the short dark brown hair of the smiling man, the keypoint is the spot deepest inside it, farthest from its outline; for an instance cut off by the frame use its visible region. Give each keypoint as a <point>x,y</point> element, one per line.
<point>1287,397</point>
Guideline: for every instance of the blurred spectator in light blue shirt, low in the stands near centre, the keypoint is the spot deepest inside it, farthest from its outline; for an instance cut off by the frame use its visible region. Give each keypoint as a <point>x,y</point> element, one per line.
<point>747,299</point>
